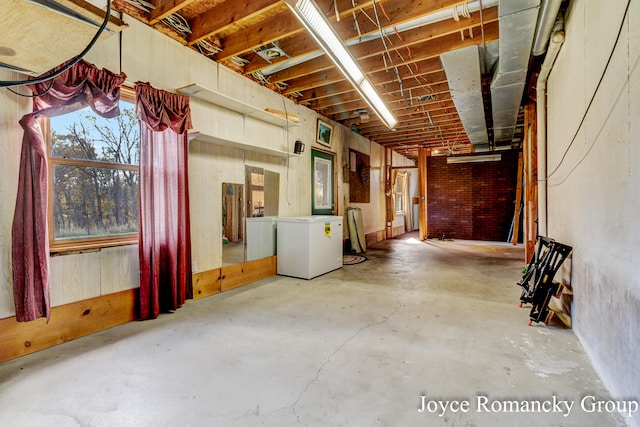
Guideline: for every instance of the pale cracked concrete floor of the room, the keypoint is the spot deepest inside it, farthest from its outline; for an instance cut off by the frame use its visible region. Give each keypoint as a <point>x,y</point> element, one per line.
<point>356,347</point>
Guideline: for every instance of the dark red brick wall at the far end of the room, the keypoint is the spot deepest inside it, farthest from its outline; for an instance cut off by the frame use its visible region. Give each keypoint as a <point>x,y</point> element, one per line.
<point>471,201</point>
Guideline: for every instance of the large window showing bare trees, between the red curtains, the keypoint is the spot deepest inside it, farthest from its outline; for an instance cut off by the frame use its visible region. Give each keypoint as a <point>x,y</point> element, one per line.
<point>94,178</point>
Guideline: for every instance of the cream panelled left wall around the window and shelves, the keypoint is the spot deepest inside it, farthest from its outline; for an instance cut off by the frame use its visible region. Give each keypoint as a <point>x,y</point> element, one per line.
<point>146,55</point>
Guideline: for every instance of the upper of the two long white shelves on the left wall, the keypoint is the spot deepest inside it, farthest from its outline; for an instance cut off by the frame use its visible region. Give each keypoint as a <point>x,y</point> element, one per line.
<point>280,119</point>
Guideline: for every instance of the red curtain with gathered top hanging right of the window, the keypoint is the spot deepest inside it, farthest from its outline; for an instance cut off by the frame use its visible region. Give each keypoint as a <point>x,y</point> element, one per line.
<point>164,231</point>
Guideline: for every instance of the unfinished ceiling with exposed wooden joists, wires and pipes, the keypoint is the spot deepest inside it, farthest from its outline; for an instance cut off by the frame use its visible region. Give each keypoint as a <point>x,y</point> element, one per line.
<point>263,40</point>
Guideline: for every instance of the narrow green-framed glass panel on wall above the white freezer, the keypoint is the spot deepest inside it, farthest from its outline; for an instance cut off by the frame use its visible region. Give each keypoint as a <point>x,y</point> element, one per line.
<point>322,183</point>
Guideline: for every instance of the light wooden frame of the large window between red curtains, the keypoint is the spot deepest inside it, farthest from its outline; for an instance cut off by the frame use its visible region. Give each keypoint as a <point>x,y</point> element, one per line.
<point>87,243</point>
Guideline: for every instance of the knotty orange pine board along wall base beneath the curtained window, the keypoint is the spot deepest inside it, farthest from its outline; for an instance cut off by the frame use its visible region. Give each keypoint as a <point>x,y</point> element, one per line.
<point>68,322</point>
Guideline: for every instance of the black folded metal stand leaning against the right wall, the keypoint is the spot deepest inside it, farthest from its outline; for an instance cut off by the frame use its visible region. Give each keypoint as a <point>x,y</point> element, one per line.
<point>537,282</point>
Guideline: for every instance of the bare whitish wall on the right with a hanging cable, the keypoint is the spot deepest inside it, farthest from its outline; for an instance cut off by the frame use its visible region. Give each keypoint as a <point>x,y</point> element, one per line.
<point>594,196</point>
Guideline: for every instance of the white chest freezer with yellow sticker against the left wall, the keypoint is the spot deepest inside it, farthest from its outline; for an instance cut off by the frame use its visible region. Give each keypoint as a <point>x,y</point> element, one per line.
<point>309,246</point>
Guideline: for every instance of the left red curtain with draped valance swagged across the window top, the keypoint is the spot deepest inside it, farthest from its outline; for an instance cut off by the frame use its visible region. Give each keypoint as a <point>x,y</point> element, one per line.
<point>83,84</point>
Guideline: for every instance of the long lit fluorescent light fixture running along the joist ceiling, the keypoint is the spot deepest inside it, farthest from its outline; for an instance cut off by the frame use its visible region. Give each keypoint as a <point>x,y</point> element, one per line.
<point>309,14</point>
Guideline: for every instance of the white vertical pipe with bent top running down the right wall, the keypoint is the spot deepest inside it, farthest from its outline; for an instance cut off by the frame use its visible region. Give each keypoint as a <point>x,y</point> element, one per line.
<point>541,120</point>
